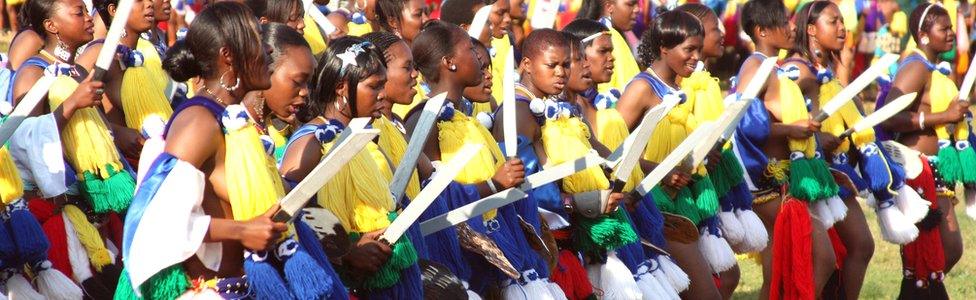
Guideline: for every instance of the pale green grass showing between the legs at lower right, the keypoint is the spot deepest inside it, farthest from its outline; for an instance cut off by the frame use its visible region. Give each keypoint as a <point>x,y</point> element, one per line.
<point>883,279</point>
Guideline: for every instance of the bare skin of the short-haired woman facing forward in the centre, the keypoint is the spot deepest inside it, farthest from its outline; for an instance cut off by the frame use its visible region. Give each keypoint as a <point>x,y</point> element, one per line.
<point>546,75</point>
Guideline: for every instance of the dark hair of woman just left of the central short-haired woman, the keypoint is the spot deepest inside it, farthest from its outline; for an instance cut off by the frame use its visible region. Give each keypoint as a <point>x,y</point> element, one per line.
<point>437,40</point>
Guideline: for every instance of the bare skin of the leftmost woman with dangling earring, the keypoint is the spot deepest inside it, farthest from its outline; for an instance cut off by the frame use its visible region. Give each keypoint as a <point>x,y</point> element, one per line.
<point>68,20</point>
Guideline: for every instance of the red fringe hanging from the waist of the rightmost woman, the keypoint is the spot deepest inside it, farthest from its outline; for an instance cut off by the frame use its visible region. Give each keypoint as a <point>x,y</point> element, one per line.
<point>925,255</point>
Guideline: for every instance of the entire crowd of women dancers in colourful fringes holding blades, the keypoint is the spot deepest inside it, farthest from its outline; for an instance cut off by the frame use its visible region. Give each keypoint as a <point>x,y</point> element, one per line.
<point>160,176</point>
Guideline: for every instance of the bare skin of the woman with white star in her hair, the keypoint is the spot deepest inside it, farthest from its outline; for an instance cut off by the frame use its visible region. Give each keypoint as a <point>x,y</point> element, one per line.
<point>369,254</point>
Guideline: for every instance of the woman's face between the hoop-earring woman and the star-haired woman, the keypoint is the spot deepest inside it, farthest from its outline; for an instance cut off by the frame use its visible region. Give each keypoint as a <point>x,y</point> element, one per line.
<point>289,82</point>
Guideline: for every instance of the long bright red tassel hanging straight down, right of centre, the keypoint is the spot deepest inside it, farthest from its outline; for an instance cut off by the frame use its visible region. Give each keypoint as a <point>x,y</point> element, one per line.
<point>792,276</point>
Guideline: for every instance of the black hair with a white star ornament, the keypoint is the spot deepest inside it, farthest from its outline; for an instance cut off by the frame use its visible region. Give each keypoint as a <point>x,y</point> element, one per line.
<point>333,70</point>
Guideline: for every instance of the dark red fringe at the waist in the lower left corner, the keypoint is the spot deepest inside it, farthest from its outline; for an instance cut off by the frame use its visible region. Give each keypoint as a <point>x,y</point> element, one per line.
<point>53,225</point>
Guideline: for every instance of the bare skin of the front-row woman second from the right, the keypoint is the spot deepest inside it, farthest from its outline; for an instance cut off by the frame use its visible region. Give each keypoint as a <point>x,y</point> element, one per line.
<point>827,34</point>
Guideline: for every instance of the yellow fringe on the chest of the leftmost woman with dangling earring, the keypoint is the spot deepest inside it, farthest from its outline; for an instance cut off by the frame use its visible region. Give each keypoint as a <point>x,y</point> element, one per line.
<point>86,139</point>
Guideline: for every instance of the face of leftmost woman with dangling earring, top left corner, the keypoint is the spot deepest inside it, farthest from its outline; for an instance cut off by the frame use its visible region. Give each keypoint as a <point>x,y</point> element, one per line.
<point>72,22</point>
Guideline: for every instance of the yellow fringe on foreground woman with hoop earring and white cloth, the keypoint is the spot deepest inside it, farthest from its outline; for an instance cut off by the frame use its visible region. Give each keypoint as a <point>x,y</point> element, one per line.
<point>253,182</point>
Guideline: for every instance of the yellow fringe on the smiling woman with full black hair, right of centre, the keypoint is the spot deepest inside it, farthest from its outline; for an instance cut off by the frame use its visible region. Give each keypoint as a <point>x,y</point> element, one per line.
<point>704,95</point>
